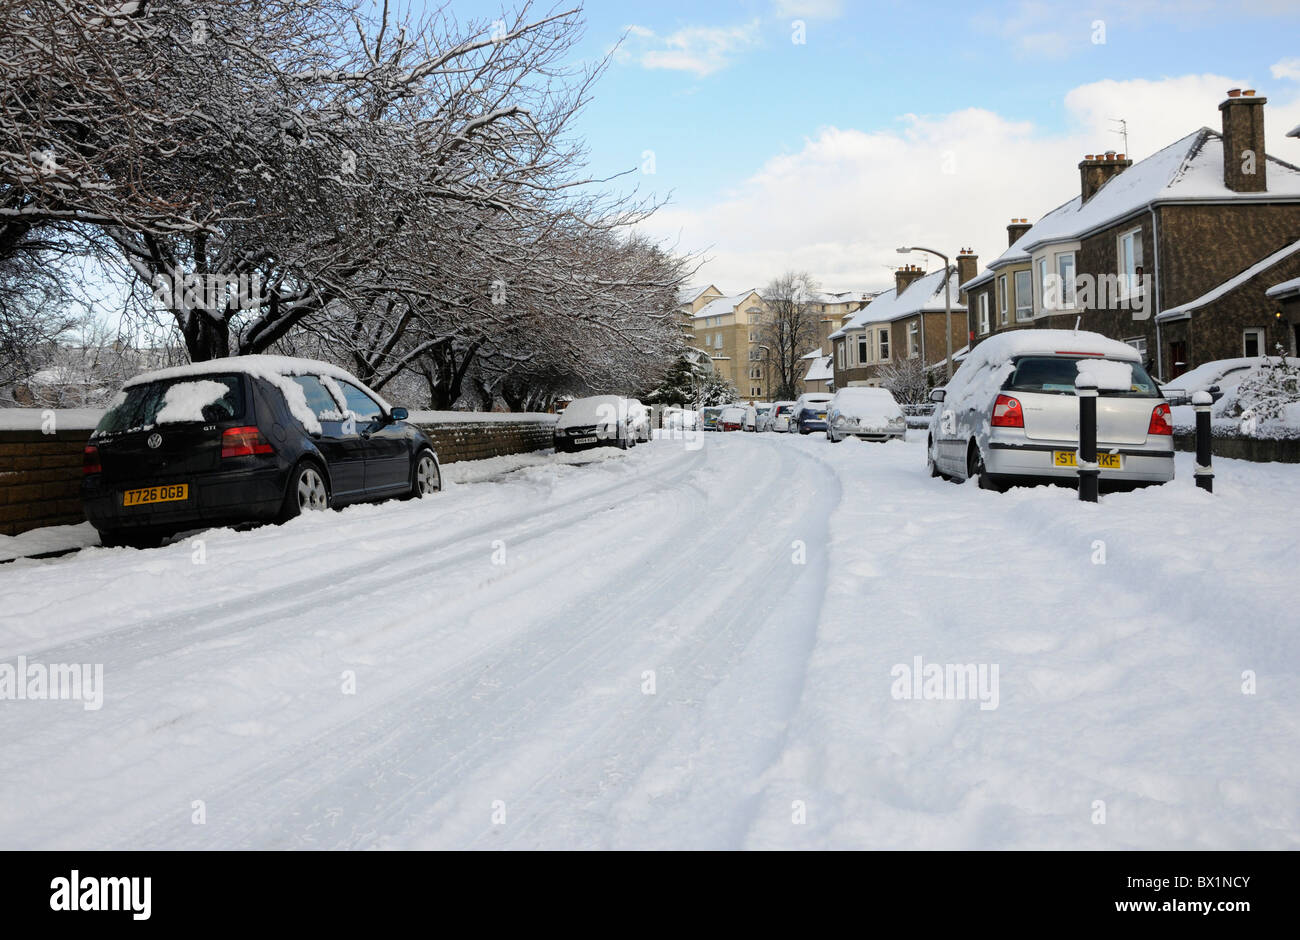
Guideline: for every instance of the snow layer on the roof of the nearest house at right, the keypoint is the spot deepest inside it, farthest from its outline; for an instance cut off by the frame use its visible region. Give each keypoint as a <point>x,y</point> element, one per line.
<point>1186,171</point>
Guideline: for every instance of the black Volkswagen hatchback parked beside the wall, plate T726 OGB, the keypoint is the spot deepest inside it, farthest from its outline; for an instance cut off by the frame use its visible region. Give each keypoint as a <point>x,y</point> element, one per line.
<point>246,440</point>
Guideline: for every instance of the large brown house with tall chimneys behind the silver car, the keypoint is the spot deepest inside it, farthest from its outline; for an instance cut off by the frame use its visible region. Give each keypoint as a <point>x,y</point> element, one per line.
<point>1173,254</point>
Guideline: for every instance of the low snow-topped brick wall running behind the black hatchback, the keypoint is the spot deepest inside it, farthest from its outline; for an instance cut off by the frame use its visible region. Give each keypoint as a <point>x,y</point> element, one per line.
<point>41,474</point>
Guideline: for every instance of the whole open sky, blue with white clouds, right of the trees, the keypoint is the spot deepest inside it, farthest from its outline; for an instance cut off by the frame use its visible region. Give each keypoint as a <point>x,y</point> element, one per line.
<point>725,99</point>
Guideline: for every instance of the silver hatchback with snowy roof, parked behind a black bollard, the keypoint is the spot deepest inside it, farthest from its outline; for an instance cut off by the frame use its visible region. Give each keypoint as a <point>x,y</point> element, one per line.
<point>1011,414</point>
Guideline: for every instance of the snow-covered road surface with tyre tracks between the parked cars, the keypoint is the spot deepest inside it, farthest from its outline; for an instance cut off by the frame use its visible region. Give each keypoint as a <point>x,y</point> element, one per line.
<point>679,647</point>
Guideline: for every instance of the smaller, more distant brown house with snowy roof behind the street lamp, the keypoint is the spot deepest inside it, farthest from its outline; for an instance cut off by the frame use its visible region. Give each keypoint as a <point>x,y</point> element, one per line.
<point>904,323</point>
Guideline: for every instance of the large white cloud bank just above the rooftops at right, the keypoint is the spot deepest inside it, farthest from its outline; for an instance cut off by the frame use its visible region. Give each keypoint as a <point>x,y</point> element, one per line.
<point>843,203</point>
